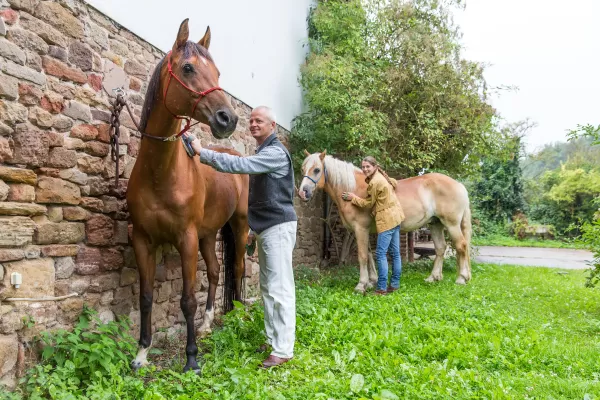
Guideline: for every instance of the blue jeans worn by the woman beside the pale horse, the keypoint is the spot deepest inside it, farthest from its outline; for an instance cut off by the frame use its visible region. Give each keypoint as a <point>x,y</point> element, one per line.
<point>388,240</point>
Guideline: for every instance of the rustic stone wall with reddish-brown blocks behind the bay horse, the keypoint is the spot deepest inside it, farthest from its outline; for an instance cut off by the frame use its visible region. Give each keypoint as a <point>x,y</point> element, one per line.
<point>62,225</point>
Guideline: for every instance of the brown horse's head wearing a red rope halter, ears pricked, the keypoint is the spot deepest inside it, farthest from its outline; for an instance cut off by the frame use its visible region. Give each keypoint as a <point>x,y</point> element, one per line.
<point>193,85</point>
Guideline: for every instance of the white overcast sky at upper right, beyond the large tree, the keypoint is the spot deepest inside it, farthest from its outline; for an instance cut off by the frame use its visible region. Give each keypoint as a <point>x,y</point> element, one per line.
<point>549,49</point>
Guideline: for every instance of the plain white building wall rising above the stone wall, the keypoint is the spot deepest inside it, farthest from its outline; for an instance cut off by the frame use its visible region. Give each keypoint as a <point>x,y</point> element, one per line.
<point>258,45</point>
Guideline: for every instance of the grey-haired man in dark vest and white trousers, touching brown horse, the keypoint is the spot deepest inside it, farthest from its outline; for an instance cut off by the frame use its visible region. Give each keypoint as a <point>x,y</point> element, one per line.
<point>273,220</point>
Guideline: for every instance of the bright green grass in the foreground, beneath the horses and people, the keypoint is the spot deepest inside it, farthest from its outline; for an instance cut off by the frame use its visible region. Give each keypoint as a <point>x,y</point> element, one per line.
<point>512,333</point>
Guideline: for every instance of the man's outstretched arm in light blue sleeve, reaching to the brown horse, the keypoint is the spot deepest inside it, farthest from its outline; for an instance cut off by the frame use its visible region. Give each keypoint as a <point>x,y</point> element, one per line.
<point>270,159</point>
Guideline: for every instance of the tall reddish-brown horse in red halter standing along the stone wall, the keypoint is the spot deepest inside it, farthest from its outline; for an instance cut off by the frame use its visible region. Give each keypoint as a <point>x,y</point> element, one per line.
<point>175,199</point>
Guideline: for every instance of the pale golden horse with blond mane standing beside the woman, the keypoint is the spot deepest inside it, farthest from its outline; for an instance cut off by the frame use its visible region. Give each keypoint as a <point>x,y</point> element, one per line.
<point>431,198</point>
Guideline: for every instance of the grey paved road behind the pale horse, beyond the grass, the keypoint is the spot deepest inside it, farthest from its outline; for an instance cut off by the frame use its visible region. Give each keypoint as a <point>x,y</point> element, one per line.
<point>531,256</point>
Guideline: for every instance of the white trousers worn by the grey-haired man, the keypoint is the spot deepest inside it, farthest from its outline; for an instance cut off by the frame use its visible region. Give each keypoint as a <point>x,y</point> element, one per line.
<point>275,248</point>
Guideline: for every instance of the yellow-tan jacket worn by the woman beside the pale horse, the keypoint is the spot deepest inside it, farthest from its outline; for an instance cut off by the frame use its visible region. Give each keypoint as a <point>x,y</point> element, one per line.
<point>382,199</point>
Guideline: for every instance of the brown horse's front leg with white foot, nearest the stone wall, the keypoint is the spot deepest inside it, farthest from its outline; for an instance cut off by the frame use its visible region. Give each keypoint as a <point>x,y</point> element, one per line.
<point>145,254</point>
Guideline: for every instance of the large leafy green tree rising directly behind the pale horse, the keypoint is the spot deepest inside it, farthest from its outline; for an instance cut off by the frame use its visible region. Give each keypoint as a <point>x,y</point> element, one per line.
<point>385,78</point>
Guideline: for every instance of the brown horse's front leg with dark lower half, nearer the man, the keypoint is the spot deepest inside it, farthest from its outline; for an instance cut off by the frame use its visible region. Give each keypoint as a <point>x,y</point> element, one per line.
<point>188,250</point>
